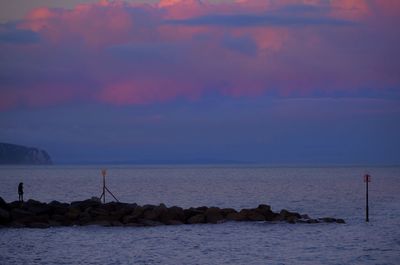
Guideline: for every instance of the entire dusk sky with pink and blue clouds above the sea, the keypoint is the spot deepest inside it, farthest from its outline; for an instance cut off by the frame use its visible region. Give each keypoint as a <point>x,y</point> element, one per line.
<point>288,82</point>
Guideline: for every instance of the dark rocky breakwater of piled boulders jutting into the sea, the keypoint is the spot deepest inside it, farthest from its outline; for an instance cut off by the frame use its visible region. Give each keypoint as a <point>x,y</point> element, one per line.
<point>35,214</point>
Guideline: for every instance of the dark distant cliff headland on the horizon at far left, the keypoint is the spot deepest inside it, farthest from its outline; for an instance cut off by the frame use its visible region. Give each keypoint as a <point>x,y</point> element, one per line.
<point>11,154</point>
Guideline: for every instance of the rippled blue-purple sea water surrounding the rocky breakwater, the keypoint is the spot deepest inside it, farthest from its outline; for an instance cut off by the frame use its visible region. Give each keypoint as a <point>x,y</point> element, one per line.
<point>319,192</point>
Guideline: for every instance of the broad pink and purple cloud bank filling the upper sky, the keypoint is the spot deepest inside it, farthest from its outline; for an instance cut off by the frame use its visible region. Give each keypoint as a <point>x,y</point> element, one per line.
<point>140,54</point>
